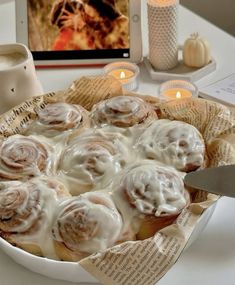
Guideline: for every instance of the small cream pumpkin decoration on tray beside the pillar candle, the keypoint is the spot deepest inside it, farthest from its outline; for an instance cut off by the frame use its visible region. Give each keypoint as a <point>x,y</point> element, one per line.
<point>196,51</point>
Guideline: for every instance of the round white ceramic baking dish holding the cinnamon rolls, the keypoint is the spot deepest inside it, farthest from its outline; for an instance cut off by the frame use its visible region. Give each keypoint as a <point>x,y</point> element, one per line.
<point>72,271</point>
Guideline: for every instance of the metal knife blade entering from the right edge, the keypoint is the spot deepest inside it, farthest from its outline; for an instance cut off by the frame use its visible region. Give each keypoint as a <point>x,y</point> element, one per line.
<point>217,180</point>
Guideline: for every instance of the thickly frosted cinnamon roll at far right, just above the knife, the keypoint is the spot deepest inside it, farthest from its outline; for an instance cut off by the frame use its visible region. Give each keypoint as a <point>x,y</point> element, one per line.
<point>175,143</point>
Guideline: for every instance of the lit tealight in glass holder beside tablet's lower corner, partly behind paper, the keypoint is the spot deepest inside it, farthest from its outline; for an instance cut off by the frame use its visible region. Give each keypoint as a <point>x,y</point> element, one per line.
<point>127,73</point>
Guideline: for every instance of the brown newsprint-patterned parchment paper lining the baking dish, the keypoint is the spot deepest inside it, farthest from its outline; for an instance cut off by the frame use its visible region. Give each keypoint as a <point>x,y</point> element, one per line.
<point>143,262</point>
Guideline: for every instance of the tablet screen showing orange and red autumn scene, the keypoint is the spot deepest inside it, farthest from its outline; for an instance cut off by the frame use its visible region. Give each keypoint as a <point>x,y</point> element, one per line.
<point>78,29</point>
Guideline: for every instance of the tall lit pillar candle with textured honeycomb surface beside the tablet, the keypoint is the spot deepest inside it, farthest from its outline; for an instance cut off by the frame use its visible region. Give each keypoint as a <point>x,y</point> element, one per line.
<point>163,33</point>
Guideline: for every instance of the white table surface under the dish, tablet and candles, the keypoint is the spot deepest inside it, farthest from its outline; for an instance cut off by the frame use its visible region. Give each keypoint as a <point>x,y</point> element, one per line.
<point>211,259</point>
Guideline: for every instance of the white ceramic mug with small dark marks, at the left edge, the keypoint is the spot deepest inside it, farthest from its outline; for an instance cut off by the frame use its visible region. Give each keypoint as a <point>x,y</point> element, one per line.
<point>18,80</point>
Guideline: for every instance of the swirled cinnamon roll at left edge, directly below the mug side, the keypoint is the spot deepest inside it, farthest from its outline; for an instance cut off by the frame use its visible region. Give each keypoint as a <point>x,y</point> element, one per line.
<point>29,156</point>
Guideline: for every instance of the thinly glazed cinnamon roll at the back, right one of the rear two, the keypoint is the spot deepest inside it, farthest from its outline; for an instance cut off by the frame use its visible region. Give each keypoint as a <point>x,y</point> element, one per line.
<point>122,111</point>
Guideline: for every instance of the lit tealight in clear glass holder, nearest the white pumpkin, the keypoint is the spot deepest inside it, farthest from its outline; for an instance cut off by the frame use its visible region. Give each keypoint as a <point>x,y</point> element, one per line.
<point>177,89</point>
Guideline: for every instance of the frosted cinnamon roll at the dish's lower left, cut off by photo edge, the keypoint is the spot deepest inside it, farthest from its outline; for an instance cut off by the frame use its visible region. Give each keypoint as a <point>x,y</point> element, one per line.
<point>26,211</point>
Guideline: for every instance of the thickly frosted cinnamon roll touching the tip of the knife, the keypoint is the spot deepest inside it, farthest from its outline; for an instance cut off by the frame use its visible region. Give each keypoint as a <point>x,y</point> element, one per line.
<point>155,193</point>
